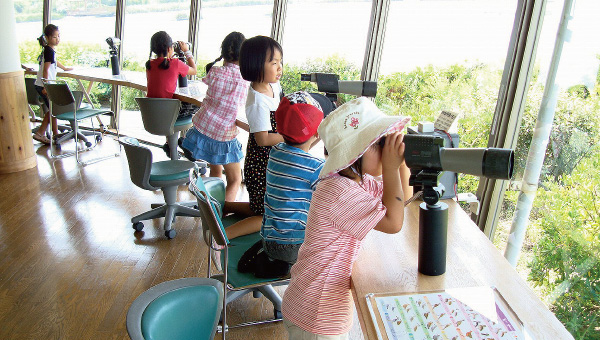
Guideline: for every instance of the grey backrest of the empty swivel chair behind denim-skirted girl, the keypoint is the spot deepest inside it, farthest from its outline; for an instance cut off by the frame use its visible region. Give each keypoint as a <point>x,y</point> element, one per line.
<point>140,162</point>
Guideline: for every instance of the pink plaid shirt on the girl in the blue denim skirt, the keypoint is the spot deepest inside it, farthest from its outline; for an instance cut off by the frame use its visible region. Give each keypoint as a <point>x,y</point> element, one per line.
<point>226,94</point>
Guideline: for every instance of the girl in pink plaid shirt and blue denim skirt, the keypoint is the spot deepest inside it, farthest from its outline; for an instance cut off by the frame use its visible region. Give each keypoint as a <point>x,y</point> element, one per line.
<point>213,138</point>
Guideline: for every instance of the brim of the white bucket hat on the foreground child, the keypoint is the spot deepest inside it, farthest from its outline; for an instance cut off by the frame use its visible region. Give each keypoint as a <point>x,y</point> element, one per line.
<point>345,154</point>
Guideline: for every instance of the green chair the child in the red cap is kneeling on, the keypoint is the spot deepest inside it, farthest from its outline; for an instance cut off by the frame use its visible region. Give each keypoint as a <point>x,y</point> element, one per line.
<point>235,284</point>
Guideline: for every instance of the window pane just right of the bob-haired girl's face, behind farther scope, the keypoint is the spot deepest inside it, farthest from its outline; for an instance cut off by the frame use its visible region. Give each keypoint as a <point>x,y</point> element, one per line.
<point>324,36</point>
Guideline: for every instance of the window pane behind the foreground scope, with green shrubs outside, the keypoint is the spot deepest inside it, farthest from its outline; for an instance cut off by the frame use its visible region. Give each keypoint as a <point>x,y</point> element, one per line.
<point>446,55</point>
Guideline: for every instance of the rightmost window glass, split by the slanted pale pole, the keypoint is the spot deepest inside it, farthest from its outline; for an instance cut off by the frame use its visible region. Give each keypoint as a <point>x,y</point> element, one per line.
<point>561,252</point>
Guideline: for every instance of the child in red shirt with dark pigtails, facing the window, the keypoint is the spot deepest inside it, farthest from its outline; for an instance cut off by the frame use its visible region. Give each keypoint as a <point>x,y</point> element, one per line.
<point>162,73</point>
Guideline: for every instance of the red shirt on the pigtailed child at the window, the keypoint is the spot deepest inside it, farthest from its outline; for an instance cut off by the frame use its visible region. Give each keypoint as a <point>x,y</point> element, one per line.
<point>163,83</point>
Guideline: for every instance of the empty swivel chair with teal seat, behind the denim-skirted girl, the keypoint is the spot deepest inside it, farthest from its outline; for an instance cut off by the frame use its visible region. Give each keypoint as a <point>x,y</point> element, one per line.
<point>165,175</point>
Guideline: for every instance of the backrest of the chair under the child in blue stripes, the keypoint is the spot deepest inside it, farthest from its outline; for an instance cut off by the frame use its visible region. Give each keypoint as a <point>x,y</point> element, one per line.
<point>211,219</point>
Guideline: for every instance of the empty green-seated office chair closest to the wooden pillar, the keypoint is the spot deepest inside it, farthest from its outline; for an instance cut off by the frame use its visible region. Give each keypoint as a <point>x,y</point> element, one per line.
<point>65,105</point>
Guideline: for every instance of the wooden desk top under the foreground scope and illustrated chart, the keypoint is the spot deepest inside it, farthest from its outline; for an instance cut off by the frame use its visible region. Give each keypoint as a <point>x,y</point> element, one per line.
<point>388,263</point>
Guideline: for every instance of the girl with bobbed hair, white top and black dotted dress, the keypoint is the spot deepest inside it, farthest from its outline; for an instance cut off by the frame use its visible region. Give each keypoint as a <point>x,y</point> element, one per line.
<point>261,64</point>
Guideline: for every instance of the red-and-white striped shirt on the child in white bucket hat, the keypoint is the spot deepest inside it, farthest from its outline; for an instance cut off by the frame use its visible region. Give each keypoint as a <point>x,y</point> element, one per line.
<point>341,214</point>
